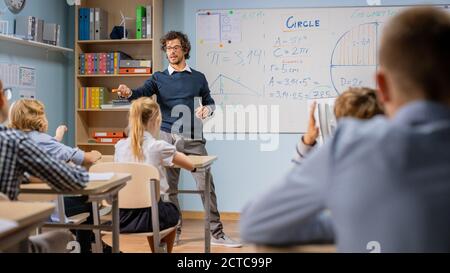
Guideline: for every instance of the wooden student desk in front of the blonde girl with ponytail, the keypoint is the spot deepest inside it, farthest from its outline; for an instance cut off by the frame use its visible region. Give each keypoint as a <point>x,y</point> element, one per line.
<point>203,163</point>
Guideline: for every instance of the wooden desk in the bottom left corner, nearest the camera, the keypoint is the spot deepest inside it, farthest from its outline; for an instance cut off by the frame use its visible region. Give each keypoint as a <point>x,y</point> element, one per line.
<point>24,217</point>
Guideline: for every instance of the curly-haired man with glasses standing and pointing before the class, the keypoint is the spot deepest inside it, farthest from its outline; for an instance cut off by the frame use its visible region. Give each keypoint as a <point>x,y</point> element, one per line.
<point>179,89</point>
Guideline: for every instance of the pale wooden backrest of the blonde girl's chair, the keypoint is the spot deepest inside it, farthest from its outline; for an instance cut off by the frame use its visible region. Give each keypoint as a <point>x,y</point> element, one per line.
<point>136,194</point>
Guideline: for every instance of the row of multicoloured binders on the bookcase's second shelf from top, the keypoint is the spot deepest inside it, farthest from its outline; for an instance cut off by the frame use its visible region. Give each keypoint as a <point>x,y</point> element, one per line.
<point>101,63</point>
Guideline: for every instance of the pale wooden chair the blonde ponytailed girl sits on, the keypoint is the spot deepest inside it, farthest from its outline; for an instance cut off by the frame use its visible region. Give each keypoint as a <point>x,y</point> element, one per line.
<point>142,191</point>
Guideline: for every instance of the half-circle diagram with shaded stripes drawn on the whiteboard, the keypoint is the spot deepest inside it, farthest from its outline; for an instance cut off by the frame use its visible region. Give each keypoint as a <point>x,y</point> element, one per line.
<point>354,58</point>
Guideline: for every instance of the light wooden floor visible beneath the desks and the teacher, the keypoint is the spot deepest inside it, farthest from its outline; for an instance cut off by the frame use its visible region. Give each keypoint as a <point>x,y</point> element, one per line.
<point>192,241</point>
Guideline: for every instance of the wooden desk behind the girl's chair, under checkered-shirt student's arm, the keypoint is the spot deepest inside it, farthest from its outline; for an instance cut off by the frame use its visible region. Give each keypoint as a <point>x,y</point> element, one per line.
<point>96,191</point>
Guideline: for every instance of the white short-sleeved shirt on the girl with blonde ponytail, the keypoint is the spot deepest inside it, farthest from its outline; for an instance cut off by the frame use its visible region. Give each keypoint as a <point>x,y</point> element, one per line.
<point>156,152</point>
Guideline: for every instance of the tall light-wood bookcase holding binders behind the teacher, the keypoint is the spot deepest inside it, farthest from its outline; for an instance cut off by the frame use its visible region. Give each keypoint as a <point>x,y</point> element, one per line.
<point>89,120</point>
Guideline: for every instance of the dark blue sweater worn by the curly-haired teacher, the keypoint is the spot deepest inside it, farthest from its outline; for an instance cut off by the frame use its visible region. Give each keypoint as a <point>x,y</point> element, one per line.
<point>180,88</point>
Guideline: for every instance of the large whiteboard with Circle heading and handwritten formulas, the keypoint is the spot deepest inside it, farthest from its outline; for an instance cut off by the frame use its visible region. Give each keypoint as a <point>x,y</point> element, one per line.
<point>285,57</point>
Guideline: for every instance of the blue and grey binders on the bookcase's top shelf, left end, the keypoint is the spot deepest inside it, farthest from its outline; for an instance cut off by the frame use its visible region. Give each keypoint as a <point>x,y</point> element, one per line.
<point>92,24</point>
